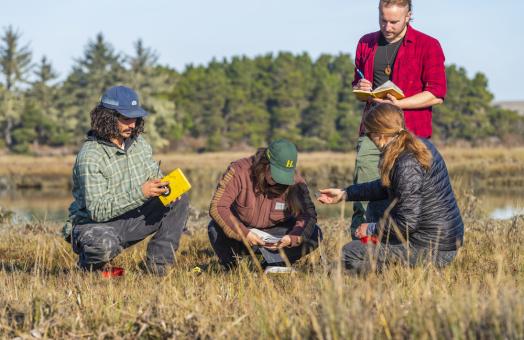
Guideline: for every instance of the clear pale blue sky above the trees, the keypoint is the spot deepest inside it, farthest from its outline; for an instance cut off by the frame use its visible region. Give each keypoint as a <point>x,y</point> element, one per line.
<point>479,35</point>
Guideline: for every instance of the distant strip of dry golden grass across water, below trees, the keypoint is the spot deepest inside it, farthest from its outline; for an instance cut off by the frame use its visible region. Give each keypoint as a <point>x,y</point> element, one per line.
<point>490,166</point>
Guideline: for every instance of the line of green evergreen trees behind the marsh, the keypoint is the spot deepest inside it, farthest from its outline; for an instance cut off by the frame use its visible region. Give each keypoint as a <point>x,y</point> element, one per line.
<point>236,103</point>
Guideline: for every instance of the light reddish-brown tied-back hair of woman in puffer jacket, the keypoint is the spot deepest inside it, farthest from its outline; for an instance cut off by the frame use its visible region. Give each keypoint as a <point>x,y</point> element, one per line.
<point>389,119</point>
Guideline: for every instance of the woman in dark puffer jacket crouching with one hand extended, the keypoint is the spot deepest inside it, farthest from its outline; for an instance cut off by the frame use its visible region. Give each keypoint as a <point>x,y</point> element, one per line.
<point>423,222</point>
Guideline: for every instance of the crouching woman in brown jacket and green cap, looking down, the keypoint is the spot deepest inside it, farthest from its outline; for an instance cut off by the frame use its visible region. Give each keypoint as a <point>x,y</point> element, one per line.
<point>263,193</point>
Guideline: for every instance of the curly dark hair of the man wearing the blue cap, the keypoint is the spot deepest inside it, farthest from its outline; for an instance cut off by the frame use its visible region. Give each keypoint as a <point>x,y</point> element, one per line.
<point>104,123</point>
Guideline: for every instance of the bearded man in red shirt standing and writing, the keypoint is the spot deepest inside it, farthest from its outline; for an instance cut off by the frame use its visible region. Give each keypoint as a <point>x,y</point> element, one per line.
<point>414,61</point>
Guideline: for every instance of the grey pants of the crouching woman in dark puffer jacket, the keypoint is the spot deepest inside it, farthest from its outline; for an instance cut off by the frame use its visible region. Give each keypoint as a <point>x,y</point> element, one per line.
<point>359,258</point>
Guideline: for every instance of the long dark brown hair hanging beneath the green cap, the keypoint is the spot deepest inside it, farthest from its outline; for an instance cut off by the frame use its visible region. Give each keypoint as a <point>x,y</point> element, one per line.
<point>261,186</point>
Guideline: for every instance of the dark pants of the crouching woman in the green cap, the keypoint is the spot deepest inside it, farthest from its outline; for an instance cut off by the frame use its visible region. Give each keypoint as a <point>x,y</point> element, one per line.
<point>228,249</point>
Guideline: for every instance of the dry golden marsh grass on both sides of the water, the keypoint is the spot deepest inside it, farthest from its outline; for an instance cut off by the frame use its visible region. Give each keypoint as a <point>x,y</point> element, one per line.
<point>481,295</point>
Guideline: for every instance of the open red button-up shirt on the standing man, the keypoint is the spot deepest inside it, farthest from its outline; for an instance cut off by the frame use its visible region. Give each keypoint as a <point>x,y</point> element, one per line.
<point>419,66</point>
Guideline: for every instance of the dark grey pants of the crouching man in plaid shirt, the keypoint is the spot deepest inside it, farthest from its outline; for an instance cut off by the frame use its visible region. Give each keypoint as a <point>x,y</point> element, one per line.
<point>98,243</point>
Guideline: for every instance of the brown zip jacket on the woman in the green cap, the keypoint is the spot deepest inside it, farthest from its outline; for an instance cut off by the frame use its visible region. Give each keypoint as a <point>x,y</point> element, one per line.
<point>235,207</point>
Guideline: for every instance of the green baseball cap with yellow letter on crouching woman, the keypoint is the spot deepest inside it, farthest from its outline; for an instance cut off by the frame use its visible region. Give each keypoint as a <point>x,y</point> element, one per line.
<point>282,155</point>
